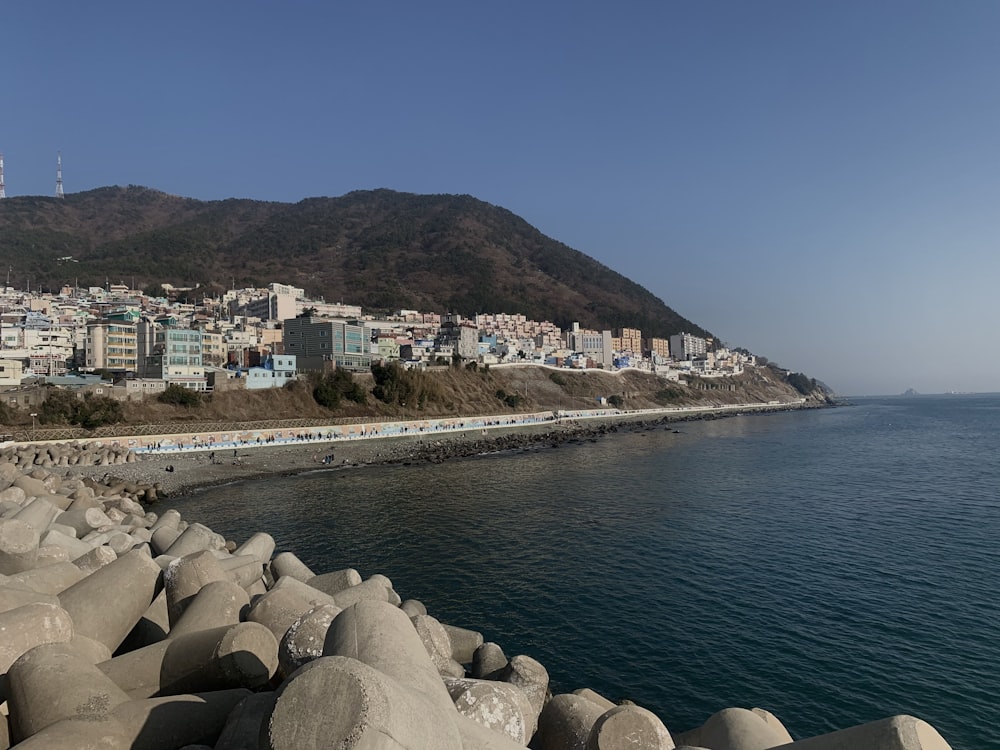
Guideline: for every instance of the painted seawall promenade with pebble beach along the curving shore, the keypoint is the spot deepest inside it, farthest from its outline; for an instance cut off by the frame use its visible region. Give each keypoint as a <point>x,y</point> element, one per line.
<point>180,462</point>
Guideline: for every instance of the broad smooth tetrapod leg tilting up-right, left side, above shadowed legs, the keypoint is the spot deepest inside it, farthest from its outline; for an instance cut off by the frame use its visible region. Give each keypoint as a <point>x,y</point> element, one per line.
<point>108,603</point>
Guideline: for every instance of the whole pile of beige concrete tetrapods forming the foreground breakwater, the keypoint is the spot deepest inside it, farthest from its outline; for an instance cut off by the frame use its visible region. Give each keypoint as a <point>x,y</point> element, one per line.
<point>125,628</point>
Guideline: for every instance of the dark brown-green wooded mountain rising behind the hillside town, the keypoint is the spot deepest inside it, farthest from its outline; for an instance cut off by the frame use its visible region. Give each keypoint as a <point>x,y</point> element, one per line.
<point>381,249</point>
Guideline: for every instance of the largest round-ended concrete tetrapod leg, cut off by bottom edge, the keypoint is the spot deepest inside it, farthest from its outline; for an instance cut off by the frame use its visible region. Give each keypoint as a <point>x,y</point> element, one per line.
<point>337,701</point>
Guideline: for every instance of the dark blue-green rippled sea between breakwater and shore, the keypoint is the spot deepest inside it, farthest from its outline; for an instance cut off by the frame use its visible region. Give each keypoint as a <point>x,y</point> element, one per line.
<point>833,566</point>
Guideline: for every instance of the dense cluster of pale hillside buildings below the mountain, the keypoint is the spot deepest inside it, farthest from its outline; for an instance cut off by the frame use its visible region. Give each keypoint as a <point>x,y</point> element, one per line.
<point>262,338</point>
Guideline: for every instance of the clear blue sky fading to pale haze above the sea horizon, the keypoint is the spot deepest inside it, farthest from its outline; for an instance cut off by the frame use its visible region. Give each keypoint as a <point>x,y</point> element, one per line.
<point>817,182</point>
